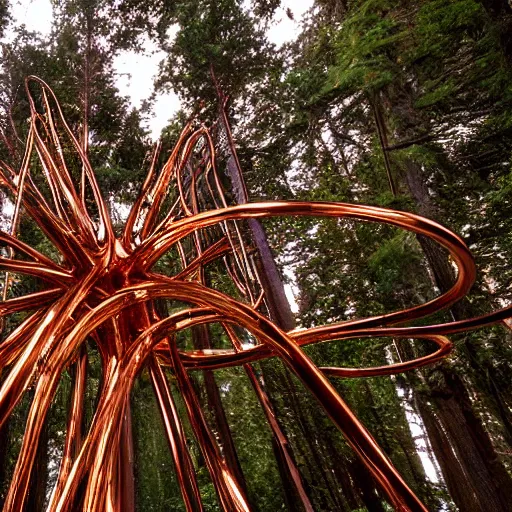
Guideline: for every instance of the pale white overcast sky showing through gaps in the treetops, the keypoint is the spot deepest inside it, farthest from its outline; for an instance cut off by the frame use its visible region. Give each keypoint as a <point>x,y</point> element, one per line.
<point>136,72</point>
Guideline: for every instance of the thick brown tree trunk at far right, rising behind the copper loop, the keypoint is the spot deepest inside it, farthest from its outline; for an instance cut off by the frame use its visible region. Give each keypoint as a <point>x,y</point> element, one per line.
<point>475,477</point>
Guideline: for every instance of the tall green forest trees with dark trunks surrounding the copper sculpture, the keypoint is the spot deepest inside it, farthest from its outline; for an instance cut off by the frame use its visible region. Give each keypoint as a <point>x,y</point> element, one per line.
<point>404,104</point>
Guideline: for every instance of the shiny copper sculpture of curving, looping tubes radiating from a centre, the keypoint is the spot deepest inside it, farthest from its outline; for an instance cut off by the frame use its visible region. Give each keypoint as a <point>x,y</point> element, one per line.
<point>104,287</point>
